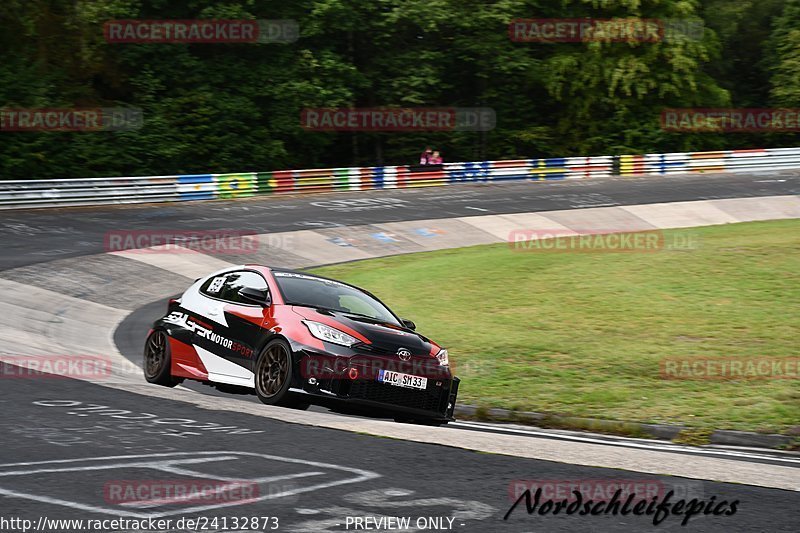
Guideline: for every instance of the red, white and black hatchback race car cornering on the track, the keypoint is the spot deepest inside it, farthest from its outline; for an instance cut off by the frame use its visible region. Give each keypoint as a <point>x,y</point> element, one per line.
<point>296,339</point>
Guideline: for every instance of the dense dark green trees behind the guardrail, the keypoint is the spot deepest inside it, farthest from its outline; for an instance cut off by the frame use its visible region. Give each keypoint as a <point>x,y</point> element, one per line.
<point>236,107</point>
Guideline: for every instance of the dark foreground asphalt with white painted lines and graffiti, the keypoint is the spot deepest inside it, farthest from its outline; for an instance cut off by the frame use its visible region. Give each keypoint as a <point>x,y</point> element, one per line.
<point>78,442</point>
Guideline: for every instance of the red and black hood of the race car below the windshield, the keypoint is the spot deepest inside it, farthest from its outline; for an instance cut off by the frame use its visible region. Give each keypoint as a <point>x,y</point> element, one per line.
<point>384,338</point>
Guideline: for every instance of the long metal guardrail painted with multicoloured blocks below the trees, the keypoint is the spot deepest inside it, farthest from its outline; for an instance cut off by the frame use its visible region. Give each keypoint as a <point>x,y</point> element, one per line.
<point>21,194</point>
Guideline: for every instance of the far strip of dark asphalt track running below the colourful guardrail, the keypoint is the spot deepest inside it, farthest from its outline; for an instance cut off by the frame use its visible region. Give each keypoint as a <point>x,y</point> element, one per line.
<point>37,236</point>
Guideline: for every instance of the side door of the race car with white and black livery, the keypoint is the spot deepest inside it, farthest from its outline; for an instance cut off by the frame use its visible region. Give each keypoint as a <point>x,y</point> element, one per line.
<point>228,341</point>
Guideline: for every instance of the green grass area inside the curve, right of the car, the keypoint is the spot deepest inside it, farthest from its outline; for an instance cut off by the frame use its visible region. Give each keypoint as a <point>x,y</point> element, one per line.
<point>584,334</point>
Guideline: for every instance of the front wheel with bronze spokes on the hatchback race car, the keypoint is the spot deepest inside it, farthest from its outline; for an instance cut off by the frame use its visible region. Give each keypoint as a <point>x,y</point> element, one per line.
<point>273,376</point>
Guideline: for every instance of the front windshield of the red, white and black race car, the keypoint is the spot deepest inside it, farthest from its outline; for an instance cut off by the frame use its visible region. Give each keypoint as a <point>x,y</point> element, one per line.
<point>311,291</point>
